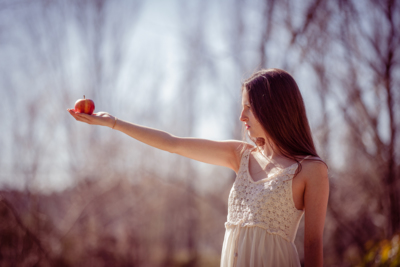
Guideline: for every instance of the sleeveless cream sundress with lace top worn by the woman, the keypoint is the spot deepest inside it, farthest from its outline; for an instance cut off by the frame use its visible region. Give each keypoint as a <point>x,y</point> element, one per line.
<point>262,220</point>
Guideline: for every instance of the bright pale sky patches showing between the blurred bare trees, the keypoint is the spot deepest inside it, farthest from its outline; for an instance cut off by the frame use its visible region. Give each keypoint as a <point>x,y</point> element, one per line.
<point>158,35</point>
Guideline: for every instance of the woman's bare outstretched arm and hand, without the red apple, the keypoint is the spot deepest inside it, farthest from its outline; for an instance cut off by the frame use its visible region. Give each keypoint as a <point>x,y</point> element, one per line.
<point>222,153</point>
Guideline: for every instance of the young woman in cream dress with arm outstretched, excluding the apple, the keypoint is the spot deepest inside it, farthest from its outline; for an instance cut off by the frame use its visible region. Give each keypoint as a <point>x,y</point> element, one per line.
<point>278,179</point>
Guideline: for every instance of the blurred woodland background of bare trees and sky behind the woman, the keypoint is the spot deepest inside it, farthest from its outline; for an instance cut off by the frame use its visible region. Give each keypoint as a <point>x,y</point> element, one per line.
<point>76,195</point>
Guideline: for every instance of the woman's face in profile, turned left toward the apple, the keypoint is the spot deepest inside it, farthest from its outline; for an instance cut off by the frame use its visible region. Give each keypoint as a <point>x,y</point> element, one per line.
<point>253,127</point>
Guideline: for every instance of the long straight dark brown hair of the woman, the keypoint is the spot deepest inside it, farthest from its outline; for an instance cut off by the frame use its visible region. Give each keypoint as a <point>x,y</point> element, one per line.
<point>277,104</point>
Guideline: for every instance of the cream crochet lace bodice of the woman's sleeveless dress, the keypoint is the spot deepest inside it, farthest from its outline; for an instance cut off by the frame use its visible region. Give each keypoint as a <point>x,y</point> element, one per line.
<point>267,203</point>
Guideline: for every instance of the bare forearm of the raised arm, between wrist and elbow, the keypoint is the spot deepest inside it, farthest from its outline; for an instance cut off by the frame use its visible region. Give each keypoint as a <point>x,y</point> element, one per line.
<point>153,137</point>
